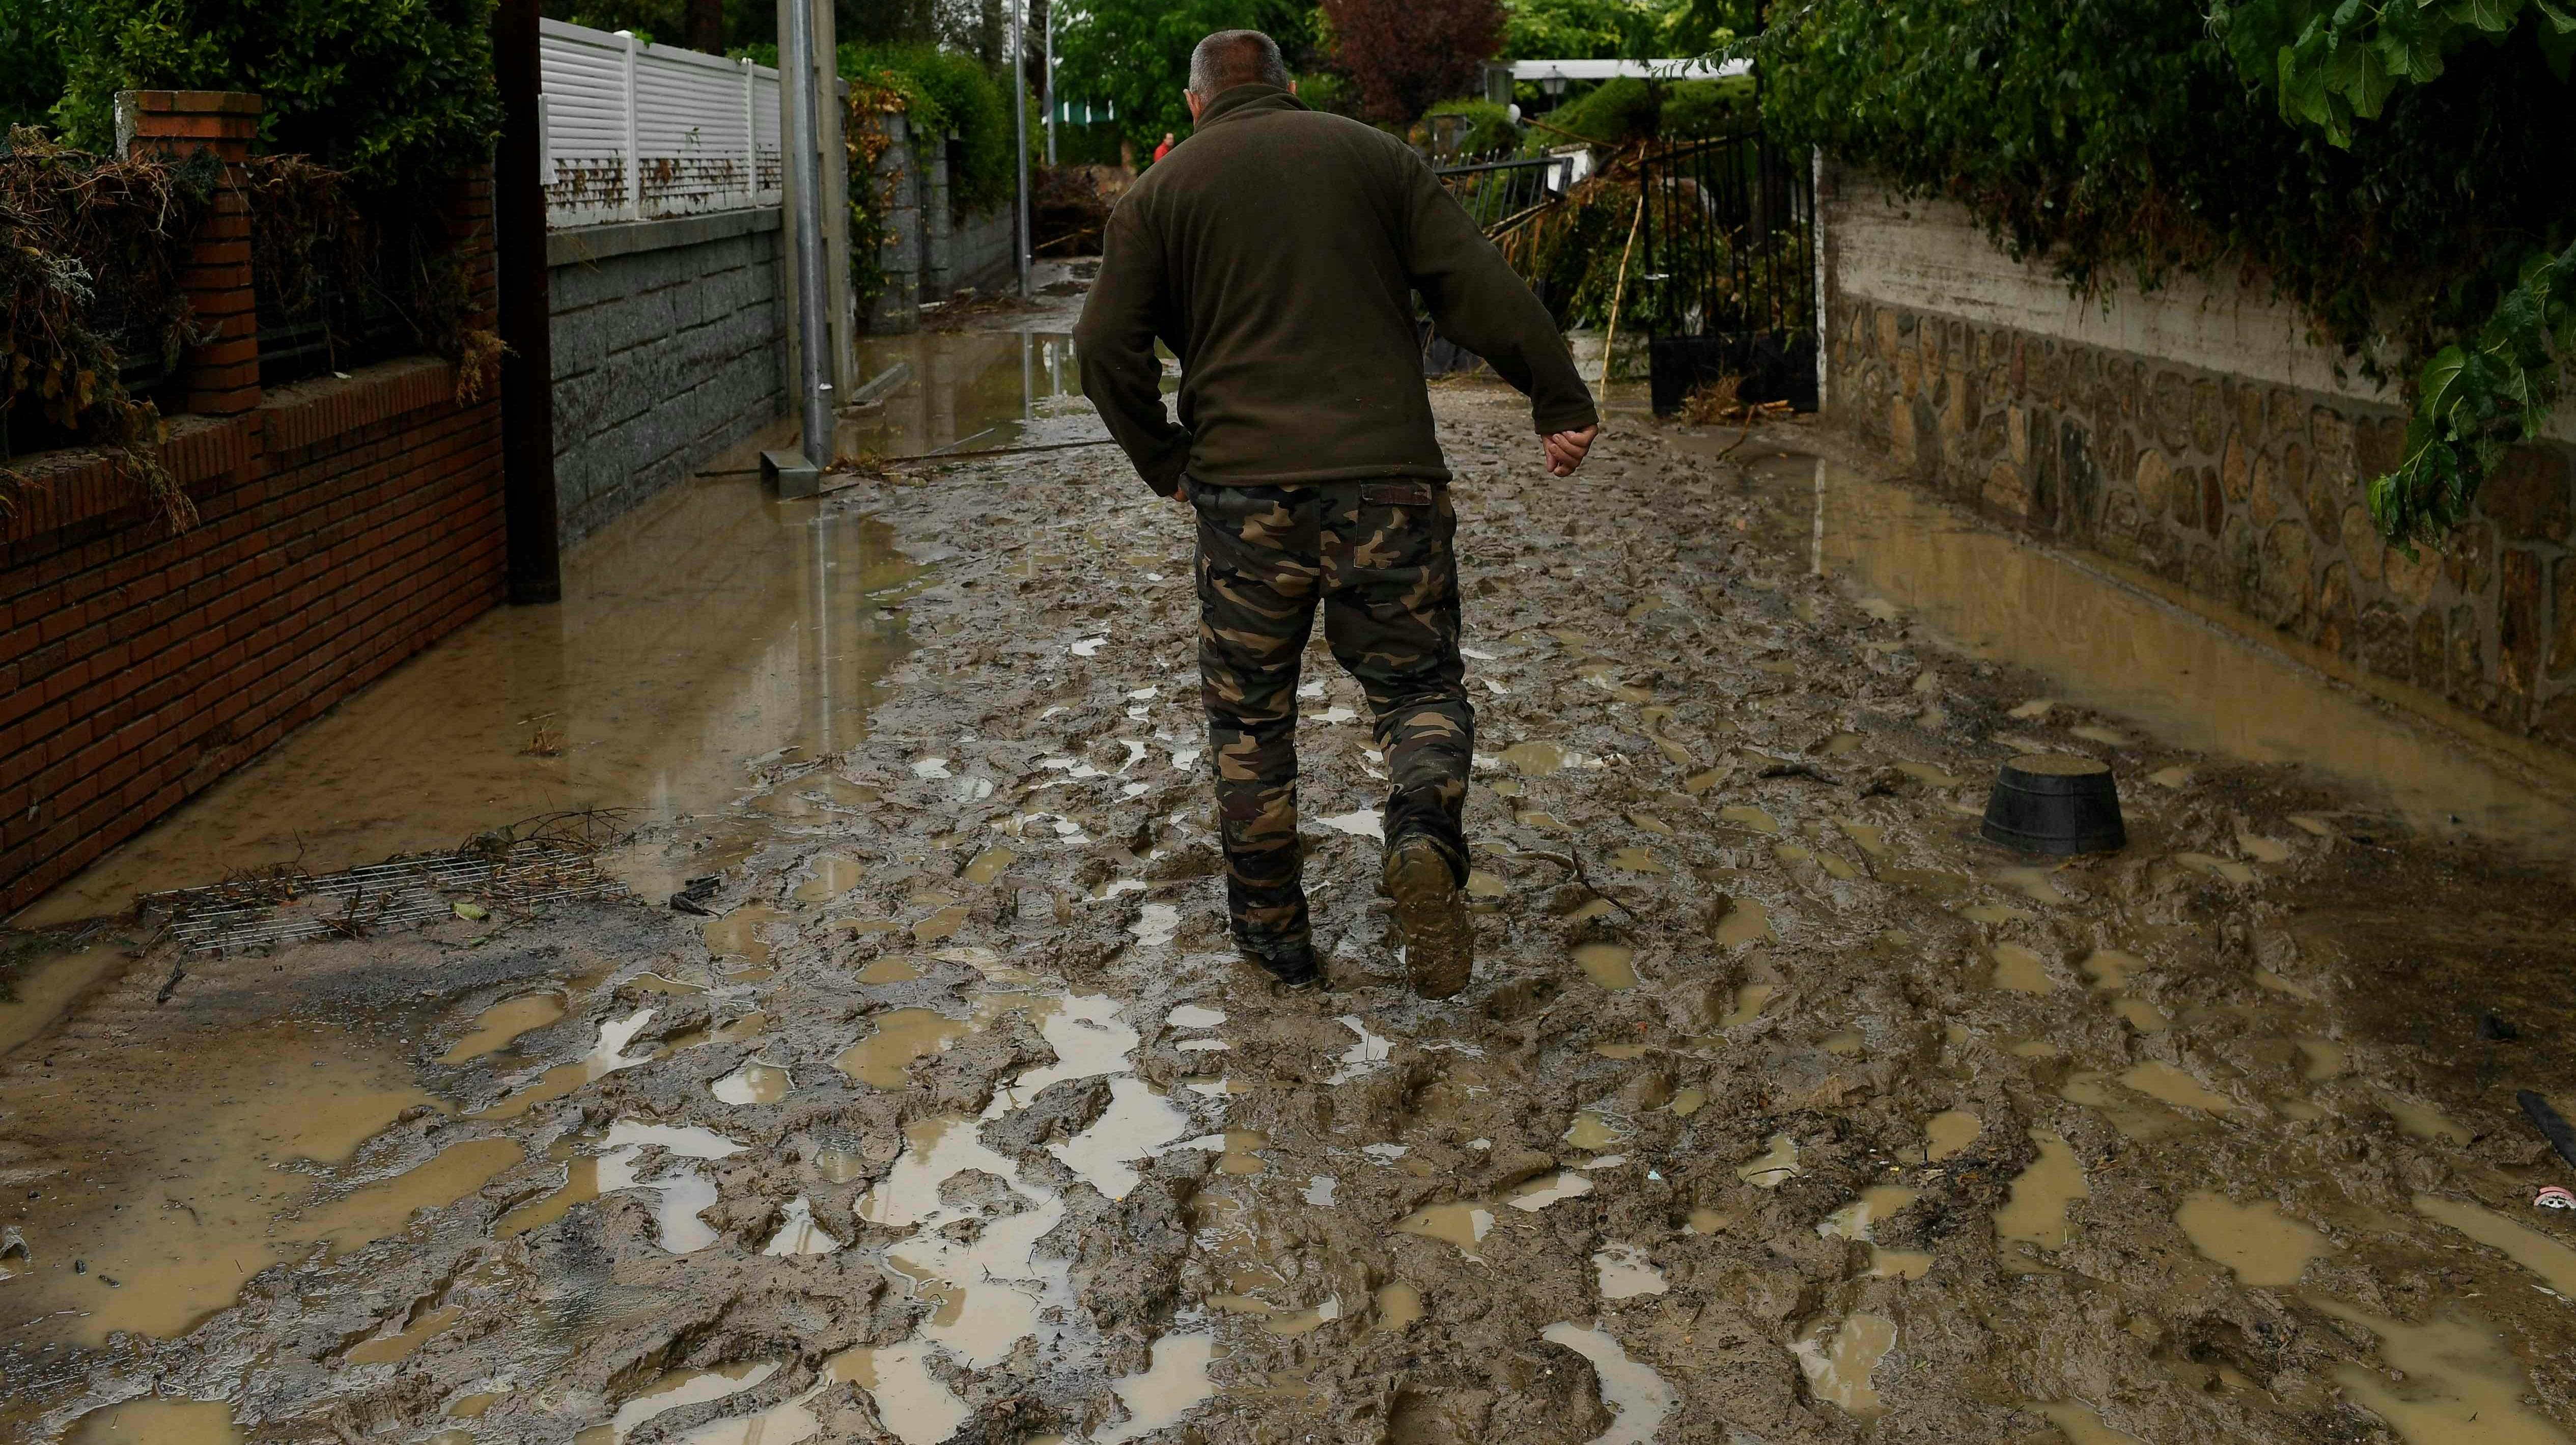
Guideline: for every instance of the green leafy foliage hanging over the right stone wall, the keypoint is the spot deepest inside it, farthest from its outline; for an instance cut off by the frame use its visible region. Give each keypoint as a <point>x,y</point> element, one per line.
<point>2124,140</point>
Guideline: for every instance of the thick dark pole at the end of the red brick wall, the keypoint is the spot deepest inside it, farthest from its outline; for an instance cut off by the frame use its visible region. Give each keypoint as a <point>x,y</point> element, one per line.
<point>519,256</point>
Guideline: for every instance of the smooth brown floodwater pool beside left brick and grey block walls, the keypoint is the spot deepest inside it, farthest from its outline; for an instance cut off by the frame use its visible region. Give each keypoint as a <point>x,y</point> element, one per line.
<point>702,632</point>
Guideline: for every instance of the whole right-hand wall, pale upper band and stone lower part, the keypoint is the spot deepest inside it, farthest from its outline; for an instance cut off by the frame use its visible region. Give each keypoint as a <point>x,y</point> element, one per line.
<point>2199,437</point>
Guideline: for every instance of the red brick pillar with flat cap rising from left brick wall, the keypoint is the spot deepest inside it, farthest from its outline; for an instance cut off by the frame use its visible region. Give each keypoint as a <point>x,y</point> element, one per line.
<point>223,377</point>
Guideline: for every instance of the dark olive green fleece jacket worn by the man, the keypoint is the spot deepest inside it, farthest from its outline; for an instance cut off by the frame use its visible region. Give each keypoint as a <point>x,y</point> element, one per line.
<point>1276,254</point>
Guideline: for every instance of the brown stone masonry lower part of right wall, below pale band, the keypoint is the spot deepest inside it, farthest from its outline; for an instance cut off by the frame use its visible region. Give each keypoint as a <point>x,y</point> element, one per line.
<point>2240,491</point>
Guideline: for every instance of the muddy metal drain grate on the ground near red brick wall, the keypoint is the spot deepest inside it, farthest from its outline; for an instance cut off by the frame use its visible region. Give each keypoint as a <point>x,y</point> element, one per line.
<point>251,913</point>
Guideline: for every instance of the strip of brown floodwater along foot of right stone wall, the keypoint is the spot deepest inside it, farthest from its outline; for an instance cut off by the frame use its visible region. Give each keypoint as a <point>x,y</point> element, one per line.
<point>2121,650</point>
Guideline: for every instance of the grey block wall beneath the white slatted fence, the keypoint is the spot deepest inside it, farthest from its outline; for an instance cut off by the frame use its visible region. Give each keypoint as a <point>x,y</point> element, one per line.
<point>668,349</point>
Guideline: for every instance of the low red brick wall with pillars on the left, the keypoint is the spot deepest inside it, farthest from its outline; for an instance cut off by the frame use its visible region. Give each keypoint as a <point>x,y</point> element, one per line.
<point>346,524</point>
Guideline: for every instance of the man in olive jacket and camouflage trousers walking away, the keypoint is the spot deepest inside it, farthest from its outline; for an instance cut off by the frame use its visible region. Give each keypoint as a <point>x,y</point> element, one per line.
<point>1276,254</point>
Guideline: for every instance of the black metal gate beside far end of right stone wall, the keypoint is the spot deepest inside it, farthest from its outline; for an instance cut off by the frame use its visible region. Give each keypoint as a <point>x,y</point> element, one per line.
<point>1727,272</point>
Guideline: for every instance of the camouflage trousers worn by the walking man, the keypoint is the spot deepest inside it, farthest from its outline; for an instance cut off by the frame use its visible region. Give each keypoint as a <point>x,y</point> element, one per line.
<point>1377,555</point>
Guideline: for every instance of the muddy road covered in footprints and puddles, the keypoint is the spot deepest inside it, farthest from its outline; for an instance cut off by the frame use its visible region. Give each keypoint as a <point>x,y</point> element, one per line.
<point>1781,1106</point>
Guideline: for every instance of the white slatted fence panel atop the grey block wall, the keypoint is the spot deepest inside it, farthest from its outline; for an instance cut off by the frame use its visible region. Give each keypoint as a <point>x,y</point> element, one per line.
<point>638,133</point>
